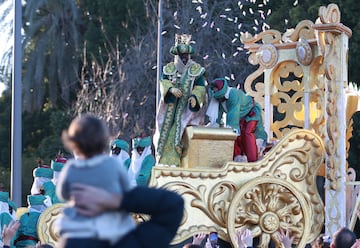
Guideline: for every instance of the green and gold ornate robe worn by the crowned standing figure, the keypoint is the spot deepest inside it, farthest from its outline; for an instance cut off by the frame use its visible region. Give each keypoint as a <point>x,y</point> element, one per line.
<point>176,113</point>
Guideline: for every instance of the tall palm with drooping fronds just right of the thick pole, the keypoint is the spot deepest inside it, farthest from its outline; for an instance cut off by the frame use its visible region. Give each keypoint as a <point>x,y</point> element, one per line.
<point>51,58</point>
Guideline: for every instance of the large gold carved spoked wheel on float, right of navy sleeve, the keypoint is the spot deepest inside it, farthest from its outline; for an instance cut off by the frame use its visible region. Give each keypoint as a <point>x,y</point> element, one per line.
<point>266,205</point>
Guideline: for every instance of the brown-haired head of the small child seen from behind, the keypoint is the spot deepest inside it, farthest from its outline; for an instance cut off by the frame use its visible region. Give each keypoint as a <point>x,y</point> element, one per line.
<point>88,134</point>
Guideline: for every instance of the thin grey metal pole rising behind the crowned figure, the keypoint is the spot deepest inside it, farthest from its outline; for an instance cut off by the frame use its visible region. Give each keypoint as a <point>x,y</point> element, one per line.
<point>159,55</point>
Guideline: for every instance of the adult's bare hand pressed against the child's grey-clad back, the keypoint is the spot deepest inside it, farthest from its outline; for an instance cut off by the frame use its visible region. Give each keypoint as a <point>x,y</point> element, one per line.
<point>91,201</point>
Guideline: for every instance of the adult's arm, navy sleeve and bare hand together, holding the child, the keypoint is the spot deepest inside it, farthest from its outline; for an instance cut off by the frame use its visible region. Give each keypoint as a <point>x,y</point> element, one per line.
<point>164,207</point>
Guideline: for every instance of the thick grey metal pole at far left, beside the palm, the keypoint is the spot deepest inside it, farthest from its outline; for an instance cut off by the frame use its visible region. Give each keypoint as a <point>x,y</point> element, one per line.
<point>16,127</point>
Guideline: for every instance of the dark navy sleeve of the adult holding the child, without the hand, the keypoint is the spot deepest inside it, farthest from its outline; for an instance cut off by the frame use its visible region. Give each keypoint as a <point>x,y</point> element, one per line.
<point>165,209</point>
